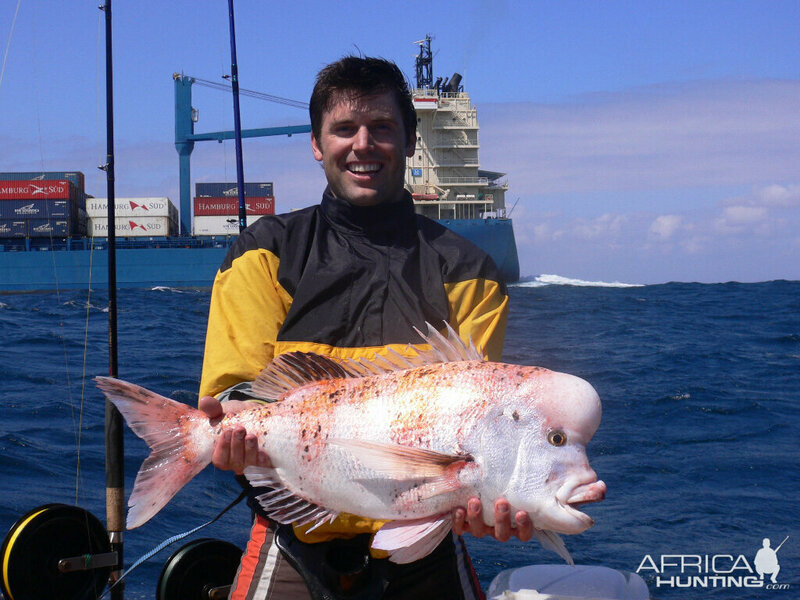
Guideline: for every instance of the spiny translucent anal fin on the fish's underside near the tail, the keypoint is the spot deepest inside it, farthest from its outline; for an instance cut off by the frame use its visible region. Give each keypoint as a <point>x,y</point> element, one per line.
<point>281,504</point>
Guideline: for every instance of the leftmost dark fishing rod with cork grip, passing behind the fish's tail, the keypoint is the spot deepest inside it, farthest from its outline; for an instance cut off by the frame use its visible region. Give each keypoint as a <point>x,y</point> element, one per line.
<point>114,447</point>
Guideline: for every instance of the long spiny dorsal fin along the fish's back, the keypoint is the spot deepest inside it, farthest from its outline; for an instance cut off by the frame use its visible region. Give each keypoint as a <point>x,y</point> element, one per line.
<point>294,369</point>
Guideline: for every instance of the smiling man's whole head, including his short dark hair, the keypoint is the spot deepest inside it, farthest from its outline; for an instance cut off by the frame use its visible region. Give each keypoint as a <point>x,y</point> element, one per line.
<point>363,128</point>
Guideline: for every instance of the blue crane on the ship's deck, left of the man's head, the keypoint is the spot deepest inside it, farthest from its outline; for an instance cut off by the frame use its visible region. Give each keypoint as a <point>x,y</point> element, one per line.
<point>185,137</point>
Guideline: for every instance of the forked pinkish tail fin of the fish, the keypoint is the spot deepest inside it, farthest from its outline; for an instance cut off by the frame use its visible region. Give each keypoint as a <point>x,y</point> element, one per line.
<point>177,454</point>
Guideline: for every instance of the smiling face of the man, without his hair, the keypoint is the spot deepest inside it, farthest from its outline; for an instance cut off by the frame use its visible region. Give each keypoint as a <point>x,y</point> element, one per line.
<point>363,148</point>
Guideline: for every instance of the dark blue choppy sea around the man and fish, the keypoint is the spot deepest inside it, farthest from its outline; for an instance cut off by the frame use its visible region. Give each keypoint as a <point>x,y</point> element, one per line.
<point>699,443</point>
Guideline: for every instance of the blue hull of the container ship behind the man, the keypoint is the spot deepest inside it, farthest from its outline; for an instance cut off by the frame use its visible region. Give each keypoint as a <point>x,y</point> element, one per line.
<point>171,263</point>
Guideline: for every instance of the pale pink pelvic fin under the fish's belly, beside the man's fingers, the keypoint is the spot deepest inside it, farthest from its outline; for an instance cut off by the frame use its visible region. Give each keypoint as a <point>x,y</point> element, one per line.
<point>407,541</point>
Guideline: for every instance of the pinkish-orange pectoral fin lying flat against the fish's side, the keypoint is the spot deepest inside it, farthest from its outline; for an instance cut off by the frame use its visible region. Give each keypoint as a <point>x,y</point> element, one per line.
<point>403,462</point>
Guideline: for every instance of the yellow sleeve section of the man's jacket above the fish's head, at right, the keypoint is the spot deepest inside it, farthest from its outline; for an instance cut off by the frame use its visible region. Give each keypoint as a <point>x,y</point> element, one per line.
<point>479,310</point>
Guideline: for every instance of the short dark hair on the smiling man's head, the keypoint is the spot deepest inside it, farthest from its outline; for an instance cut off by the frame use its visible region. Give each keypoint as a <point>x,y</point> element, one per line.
<point>361,76</point>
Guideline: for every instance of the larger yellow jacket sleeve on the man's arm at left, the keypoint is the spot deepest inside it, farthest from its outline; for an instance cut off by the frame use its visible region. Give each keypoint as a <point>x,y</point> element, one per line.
<point>248,306</point>
